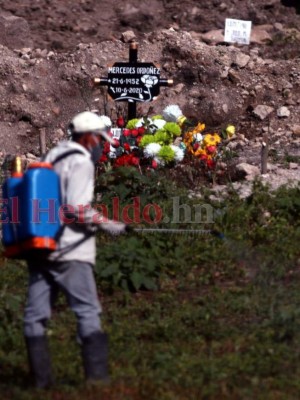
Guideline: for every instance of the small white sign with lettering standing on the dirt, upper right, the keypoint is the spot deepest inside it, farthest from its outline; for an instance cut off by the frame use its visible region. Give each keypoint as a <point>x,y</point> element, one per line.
<point>237,31</point>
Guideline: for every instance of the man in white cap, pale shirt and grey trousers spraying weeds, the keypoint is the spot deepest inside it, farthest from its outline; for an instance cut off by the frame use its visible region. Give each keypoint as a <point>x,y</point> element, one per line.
<point>70,266</point>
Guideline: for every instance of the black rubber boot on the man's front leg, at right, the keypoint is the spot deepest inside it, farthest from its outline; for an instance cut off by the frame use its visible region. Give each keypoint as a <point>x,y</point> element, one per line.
<point>95,357</point>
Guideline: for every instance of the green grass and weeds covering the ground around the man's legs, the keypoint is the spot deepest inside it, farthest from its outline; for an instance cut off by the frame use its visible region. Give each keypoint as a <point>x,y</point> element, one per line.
<point>222,321</point>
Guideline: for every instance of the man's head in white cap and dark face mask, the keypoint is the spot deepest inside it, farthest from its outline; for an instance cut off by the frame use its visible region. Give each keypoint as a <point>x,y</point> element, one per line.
<point>89,130</point>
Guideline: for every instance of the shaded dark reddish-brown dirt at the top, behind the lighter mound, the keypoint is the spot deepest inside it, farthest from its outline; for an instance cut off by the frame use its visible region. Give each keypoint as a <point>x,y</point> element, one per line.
<point>61,25</point>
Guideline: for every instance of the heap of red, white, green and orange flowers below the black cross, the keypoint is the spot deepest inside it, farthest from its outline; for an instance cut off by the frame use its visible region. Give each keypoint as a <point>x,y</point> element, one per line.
<point>161,141</point>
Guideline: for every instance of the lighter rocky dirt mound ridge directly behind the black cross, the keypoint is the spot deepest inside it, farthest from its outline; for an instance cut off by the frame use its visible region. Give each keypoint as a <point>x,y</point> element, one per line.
<point>217,84</point>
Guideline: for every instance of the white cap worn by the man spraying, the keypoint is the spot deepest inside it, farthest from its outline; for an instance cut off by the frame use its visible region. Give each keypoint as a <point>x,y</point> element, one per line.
<point>88,121</point>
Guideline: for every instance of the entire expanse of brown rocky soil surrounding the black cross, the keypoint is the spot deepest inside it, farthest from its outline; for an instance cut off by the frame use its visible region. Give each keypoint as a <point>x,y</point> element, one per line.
<point>50,51</point>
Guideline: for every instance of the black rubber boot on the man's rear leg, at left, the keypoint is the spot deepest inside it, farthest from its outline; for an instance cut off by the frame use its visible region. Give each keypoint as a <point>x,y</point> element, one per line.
<point>39,361</point>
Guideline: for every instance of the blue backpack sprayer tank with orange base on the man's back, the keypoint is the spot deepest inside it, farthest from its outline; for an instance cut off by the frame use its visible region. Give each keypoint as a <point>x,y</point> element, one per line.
<point>30,210</point>
